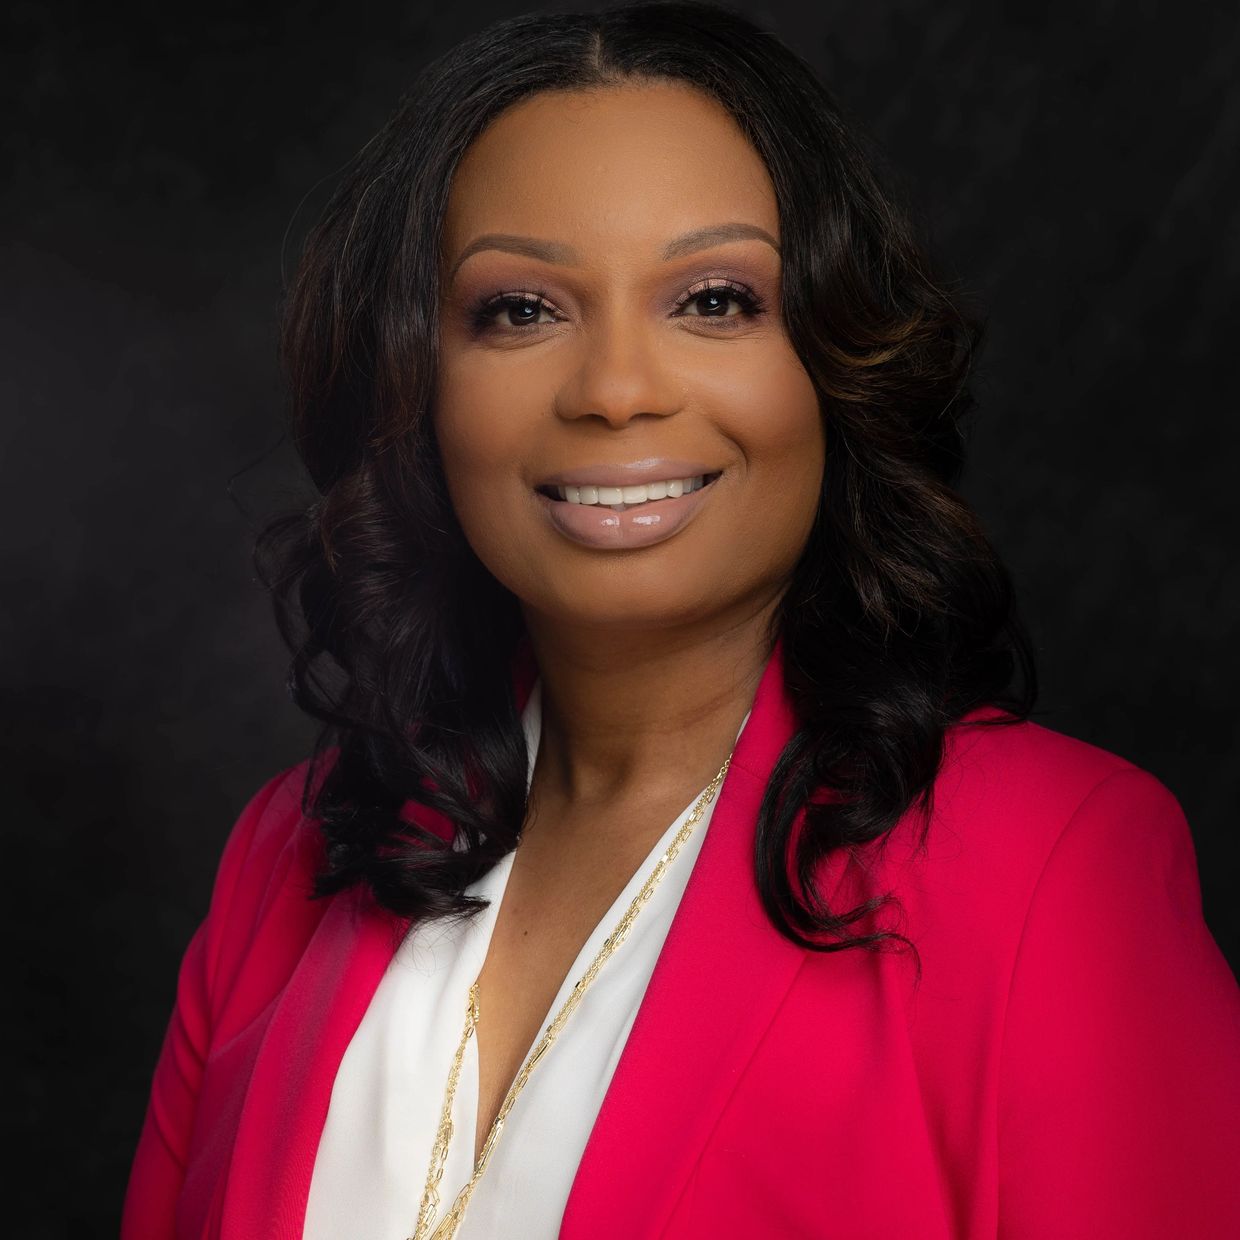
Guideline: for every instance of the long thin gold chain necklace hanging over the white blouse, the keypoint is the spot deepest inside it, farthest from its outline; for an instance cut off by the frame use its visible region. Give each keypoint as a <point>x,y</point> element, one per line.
<point>447,1228</point>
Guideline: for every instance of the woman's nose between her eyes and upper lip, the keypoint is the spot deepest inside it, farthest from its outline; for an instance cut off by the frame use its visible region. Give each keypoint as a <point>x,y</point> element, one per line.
<point>623,375</point>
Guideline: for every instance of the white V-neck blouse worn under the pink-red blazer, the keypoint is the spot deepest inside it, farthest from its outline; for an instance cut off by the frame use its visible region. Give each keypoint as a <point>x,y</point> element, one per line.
<point>375,1151</point>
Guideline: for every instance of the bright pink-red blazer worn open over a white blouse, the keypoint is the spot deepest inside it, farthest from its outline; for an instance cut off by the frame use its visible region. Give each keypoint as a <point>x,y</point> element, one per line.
<point>1068,1067</point>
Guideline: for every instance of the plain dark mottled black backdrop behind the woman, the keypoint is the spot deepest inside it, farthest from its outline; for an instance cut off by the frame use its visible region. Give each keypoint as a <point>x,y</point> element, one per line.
<point>1078,170</point>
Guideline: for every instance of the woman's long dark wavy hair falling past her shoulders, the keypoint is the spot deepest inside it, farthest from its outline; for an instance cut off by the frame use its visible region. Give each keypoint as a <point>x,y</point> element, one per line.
<point>898,621</point>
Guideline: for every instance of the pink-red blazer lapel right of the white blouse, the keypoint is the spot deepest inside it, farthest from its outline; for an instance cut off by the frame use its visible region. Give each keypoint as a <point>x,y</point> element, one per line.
<point>715,991</point>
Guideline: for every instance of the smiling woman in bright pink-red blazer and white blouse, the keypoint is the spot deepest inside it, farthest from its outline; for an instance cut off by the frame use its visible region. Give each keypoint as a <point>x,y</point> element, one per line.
<point>684,861</point>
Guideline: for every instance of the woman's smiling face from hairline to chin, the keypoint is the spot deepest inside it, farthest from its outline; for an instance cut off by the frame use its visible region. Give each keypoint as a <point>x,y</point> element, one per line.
<point>624,349</point>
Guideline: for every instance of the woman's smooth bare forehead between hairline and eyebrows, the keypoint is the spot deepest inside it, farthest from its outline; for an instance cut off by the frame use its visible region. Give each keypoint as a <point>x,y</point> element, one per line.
<point>616,169</point>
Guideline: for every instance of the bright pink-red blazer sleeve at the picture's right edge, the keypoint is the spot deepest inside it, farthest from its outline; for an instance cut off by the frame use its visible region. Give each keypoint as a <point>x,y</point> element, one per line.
<point>1120,1076</point>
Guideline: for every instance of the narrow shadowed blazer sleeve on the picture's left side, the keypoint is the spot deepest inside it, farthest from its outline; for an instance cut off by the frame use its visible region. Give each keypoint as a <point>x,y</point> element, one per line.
<point>161,1160</point>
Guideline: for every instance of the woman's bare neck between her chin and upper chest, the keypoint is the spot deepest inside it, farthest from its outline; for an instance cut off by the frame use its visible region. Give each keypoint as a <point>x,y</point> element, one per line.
<point>638,717</point>
